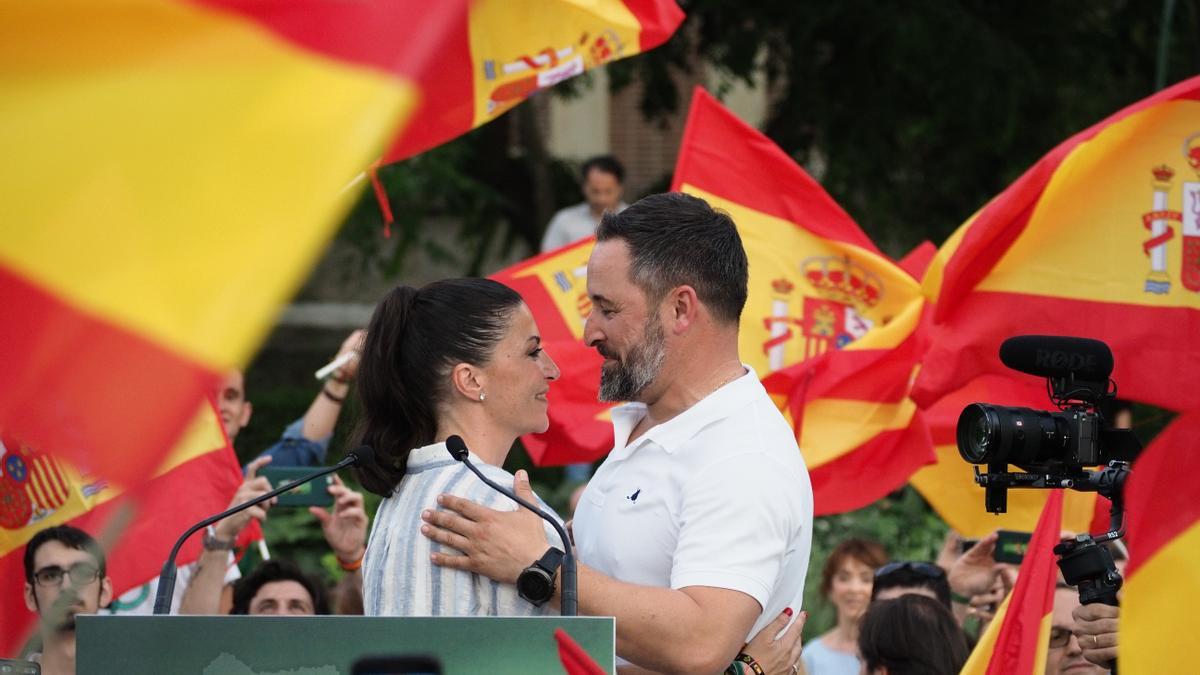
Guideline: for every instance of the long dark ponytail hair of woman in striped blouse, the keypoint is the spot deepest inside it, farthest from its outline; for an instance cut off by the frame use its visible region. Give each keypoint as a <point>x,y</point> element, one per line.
<point>415,339</point>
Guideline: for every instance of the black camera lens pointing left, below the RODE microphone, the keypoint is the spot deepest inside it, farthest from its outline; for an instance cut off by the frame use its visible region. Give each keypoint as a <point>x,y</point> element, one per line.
<point>995,434</point>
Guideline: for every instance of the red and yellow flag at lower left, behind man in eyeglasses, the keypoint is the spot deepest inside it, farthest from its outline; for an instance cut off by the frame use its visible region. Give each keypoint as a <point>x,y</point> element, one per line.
<point>39,492</point>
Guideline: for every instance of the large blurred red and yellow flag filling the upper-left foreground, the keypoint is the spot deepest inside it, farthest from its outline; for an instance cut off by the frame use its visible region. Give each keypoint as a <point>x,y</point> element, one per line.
<point>173,169</point>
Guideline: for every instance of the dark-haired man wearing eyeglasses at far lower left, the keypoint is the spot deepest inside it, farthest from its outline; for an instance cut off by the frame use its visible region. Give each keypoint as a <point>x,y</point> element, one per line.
<point>65,576</point>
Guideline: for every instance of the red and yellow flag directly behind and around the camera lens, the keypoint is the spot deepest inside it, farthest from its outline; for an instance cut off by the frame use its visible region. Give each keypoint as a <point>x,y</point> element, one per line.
<point>950,487</point>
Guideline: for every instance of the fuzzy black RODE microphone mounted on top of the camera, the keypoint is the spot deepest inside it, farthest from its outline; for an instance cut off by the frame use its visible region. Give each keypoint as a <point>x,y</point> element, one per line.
<point>1048,356</point>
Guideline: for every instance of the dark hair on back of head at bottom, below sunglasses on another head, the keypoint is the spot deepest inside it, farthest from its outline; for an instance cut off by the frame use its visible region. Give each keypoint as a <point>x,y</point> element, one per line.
<point>911,635</point>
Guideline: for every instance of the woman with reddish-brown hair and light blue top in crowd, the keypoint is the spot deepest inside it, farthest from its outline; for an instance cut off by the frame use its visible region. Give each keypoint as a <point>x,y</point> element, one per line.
<point>845,582</point>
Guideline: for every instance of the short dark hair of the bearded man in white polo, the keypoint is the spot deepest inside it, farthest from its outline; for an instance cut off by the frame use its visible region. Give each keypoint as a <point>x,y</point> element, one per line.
<point>677,240</point>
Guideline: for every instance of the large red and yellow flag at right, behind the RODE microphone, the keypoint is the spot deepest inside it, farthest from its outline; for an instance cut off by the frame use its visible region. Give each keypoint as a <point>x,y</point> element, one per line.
<point>1101,240</point>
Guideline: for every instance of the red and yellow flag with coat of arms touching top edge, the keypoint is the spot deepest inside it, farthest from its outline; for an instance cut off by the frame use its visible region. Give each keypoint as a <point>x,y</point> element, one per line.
<point>506,51</point>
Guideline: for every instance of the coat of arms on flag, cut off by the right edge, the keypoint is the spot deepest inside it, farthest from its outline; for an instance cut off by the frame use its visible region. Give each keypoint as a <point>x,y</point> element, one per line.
<point>1159,224</point>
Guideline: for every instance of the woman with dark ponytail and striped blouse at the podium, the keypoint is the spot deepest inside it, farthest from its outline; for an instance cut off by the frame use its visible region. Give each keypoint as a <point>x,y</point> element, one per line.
<point>458,357</point>
